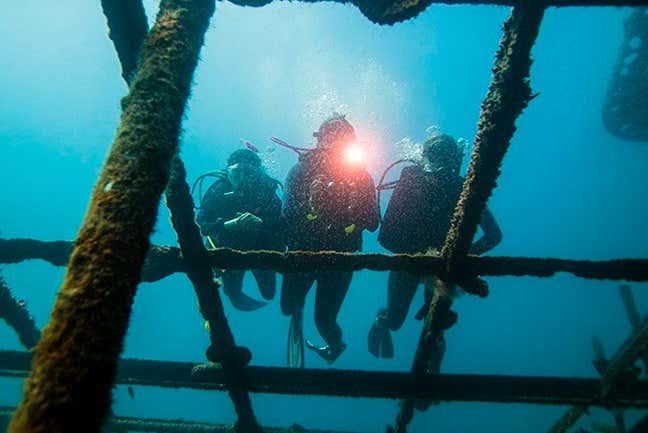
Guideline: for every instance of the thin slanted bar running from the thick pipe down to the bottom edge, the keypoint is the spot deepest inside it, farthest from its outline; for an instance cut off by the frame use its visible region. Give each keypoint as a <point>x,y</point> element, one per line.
<point>199,271</point>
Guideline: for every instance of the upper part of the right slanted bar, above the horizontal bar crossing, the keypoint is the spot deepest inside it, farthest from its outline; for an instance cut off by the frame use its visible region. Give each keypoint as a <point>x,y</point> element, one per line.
<point>508,95</point>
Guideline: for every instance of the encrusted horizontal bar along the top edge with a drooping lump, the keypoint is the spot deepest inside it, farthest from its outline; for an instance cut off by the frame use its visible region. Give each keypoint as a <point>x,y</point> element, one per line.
<point>393,11</point>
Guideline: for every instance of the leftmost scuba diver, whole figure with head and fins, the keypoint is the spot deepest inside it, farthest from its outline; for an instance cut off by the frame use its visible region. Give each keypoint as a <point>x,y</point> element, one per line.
<point>241,210</point>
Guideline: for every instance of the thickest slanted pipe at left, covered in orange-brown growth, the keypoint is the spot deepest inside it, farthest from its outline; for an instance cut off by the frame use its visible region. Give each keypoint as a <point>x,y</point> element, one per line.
<point>75,362</point>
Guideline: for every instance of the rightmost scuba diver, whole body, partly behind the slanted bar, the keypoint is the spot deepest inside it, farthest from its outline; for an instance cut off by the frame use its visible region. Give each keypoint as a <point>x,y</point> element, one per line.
<point>417,220</point>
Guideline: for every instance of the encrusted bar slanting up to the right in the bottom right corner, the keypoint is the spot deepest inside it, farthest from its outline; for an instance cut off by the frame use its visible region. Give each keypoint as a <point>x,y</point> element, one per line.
<point>614,379</point>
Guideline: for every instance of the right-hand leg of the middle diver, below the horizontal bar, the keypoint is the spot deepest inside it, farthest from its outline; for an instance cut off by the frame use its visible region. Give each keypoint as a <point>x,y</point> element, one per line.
<point>332,288</point>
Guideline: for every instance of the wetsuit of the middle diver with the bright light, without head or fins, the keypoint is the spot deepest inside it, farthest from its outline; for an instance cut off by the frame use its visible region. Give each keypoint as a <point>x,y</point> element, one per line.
<point>325,210</point>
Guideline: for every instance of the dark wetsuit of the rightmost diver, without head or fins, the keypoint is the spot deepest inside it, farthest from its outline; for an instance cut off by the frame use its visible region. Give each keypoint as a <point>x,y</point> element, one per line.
<point>417,220</point>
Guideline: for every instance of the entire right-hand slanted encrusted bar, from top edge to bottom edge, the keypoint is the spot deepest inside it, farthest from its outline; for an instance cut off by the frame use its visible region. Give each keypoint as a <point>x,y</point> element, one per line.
<point>508,95</point>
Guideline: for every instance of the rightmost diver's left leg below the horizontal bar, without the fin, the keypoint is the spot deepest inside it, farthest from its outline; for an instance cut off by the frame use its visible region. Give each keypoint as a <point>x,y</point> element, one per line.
<point>401,289</point>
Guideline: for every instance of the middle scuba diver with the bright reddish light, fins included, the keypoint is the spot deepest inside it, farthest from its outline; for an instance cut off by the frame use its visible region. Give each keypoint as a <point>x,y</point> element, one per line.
<point>329,200</point>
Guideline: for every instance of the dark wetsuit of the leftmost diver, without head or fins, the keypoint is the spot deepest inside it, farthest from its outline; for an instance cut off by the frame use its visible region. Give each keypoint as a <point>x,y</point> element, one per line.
<point>220,204</point>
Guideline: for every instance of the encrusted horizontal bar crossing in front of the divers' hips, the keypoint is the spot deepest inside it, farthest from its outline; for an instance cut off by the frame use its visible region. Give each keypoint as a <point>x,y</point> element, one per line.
<point>163,261</point>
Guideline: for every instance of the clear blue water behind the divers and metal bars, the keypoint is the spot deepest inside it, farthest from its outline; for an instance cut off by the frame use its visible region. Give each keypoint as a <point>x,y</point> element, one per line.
<point>568,188</point>
